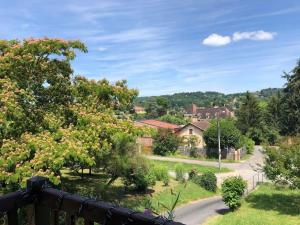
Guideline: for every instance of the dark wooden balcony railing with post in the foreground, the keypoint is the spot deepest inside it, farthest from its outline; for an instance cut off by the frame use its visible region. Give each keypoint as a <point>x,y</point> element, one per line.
<point>47,203</point>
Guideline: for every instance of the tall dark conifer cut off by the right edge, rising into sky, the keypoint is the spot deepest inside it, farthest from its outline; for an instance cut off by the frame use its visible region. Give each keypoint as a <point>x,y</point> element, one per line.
<point>290,116</point>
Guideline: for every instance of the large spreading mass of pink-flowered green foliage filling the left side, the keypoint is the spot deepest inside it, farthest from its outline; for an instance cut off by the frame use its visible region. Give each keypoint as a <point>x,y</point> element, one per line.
<point>48,120</point>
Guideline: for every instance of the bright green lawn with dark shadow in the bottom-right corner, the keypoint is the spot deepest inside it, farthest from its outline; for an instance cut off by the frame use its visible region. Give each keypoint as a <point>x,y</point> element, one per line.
<point>269,205</point>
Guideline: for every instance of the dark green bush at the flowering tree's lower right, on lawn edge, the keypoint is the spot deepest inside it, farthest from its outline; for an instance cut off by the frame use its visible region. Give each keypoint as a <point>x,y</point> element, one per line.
<point>138,173</point>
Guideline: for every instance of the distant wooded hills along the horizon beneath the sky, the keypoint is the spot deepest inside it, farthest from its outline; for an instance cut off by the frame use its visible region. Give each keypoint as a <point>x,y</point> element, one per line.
<point>206,99</point>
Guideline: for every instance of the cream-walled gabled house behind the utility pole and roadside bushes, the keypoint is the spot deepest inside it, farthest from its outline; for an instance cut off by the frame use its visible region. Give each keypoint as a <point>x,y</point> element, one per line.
<point>194,129</point>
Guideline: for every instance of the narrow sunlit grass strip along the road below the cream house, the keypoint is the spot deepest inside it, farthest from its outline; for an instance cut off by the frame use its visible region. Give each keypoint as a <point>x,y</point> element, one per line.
<point>188,167</point>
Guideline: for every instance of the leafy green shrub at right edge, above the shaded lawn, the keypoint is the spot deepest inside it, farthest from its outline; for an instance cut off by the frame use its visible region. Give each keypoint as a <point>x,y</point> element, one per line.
<point>283,163</point>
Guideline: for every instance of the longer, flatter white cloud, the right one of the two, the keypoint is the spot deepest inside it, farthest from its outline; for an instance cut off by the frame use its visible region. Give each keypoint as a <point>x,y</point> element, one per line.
<point>259,35</point>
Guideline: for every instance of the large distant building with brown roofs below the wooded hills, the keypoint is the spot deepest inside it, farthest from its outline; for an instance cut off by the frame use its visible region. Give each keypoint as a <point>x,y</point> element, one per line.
<point>199,113</point>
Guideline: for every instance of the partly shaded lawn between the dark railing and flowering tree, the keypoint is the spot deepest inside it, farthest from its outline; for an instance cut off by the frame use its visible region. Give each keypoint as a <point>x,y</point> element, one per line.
<point>94,187</point>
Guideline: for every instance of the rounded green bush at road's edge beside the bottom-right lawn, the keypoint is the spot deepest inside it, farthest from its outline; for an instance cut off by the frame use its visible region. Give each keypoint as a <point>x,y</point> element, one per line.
<point>232,191</point>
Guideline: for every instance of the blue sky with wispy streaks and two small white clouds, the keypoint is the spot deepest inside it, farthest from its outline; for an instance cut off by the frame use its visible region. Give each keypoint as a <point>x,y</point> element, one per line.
<point>168,46</point>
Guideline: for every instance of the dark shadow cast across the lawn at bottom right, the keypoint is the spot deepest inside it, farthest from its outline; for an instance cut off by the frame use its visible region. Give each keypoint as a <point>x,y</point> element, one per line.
<point>282,203</point>
